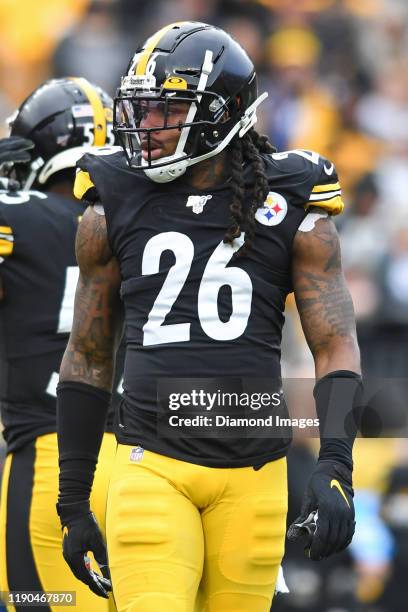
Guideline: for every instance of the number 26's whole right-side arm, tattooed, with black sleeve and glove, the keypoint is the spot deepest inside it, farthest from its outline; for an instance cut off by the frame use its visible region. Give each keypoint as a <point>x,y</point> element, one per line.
<point>327,316</point>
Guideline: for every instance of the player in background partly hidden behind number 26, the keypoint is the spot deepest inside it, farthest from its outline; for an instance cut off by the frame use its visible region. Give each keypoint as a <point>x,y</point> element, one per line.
<point>38,273</point>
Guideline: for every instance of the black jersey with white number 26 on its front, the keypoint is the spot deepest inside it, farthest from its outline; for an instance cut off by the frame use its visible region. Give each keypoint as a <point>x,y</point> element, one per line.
<point>192,311</point>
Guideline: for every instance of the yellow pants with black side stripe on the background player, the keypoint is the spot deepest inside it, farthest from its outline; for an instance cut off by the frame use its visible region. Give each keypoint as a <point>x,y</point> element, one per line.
<point>30,531</point>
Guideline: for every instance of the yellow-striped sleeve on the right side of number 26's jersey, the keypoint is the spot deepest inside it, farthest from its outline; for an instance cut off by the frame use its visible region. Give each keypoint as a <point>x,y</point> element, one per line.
<point>326,191</point>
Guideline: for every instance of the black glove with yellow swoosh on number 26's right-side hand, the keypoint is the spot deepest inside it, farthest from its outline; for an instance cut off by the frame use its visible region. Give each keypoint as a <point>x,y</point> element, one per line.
<point>331,529</point>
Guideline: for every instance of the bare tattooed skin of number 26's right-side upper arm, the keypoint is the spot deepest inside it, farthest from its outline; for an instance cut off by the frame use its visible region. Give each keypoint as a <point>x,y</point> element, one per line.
<point>323,300</point>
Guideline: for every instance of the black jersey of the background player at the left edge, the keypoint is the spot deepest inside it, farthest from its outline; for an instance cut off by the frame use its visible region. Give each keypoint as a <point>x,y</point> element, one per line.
<point>39,273</point>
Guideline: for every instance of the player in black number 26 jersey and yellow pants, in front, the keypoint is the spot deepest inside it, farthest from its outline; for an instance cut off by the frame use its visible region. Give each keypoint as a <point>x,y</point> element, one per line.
<point>205,231</point>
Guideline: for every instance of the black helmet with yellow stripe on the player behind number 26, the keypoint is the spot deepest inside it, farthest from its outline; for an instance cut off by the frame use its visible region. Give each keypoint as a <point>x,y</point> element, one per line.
<point>64,118</point>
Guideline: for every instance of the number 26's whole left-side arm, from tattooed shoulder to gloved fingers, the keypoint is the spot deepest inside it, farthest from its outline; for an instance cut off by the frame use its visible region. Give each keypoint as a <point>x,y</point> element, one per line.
<point>83,397</point>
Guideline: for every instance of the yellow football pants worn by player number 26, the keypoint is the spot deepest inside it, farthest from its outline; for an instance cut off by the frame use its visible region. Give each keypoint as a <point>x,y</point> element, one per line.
<point>184,537</point>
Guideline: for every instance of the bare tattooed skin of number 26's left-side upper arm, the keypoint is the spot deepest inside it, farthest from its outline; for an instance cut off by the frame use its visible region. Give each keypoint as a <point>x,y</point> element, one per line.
<point>96,330</point>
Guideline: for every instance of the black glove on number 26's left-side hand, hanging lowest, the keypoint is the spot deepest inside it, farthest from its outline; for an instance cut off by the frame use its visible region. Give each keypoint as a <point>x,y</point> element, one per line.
<point>80,534</point>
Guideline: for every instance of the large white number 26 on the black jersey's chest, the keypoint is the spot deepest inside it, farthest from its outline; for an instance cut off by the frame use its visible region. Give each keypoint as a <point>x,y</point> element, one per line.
<point>216,275</point>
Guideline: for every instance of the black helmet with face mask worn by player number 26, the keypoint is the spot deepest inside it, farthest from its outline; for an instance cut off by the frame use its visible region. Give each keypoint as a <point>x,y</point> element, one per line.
<point>194,63</point>
